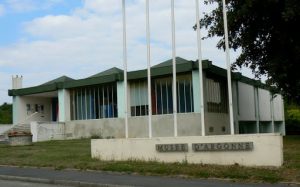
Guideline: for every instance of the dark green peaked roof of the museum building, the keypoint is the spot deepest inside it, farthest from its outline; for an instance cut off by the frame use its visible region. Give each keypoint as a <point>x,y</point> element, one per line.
<point>115,74</point>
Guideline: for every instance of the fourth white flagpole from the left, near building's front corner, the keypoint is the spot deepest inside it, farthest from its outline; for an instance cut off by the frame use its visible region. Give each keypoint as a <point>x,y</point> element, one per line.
<point>200,68</point>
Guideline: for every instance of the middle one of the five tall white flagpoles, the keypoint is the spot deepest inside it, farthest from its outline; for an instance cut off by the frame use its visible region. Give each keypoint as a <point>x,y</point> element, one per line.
<point>174,69</point>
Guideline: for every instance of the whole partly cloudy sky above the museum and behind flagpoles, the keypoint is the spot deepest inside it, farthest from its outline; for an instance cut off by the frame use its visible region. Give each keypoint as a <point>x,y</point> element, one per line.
<point>45,39</point>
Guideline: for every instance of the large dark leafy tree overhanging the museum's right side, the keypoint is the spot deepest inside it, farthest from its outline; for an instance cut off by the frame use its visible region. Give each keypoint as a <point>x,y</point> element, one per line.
<point>268,34</point>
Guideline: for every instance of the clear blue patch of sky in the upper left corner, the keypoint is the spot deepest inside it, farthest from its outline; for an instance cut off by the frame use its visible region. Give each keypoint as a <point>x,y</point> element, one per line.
<point>15,13</point>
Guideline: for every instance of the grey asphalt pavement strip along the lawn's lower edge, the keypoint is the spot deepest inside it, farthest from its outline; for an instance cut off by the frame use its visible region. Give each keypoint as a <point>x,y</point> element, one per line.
<point>94,178</point>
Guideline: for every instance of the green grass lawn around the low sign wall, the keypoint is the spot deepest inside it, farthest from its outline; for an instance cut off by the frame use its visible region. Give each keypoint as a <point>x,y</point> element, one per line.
<point>76,154</point>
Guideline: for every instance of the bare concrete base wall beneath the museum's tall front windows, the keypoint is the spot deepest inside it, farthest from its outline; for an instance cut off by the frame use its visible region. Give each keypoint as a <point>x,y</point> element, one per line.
<point>162,126</point>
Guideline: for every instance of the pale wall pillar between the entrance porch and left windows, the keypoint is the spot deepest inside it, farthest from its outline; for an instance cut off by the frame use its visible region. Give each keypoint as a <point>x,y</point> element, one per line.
<point>64,105</point>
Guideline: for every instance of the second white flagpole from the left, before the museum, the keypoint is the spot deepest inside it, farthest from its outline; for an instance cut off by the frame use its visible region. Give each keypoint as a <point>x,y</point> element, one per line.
<point>148,70</point>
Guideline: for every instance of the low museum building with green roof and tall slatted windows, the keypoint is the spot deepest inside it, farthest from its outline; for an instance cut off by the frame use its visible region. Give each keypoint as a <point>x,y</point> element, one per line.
<point>96,105</point>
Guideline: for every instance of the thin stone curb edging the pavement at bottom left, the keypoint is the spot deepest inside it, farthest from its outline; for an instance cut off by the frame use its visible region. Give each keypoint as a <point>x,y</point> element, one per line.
<point>58,182</point>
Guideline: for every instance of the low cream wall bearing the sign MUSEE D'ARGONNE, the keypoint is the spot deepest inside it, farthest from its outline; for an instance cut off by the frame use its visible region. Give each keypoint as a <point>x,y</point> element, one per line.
<point>247,150</point>
